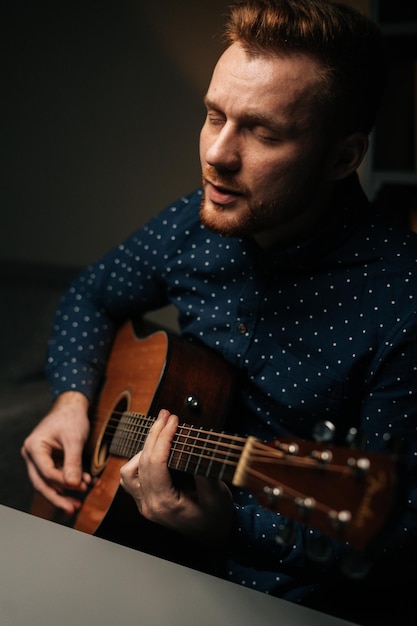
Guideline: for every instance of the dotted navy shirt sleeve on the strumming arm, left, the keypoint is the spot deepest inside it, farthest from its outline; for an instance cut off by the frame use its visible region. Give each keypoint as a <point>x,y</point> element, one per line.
<point>125,283</point>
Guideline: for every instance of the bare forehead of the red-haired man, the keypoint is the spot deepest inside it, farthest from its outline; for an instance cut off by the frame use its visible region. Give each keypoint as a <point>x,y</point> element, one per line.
<point>264,83</point>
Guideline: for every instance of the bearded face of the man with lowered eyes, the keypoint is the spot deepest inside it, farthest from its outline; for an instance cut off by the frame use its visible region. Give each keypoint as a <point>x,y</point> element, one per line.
<point>263,155</point>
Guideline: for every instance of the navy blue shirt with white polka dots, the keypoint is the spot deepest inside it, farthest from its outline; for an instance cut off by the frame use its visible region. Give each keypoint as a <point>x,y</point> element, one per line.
<point>325,330</point>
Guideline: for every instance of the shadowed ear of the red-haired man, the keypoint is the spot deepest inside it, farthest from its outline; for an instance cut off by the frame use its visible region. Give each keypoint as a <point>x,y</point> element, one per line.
<point>347,155</point>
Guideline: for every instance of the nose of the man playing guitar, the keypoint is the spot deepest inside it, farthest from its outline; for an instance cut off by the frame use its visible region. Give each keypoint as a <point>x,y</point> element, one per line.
<point>222,149</point>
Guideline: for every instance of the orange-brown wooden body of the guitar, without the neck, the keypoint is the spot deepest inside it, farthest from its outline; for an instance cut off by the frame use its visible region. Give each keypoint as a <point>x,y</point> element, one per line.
<point>144,375</point>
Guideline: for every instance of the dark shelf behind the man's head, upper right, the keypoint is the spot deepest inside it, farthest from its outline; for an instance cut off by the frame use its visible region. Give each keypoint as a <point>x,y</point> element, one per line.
<point>390,171</point>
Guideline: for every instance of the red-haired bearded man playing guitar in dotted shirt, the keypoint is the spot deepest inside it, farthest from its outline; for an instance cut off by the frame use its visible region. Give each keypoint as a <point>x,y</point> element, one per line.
<point>282,266</point>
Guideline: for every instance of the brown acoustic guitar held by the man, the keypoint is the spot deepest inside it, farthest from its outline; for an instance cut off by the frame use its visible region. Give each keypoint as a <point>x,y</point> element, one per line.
<point>344,492</point>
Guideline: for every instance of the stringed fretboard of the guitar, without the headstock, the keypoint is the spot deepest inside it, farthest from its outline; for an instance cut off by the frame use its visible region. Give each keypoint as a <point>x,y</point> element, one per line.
<point>193,451</point>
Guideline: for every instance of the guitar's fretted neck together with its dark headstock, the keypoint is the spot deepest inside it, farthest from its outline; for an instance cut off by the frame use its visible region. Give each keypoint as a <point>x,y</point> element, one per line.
<point>347,493</point>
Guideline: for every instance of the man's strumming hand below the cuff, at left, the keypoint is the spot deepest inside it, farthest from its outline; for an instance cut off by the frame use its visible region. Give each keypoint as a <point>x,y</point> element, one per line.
<point>53,452</point>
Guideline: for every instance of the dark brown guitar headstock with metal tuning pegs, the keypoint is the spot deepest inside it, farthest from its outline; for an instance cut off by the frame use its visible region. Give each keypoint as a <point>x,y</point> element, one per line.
<point>344,492</point>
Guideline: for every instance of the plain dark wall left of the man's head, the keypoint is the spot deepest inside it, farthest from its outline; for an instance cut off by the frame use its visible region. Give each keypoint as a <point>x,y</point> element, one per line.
<point>102,115</point>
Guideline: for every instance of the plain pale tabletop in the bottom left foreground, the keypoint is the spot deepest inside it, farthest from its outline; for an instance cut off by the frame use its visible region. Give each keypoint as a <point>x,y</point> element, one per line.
<point>56,576</point>
